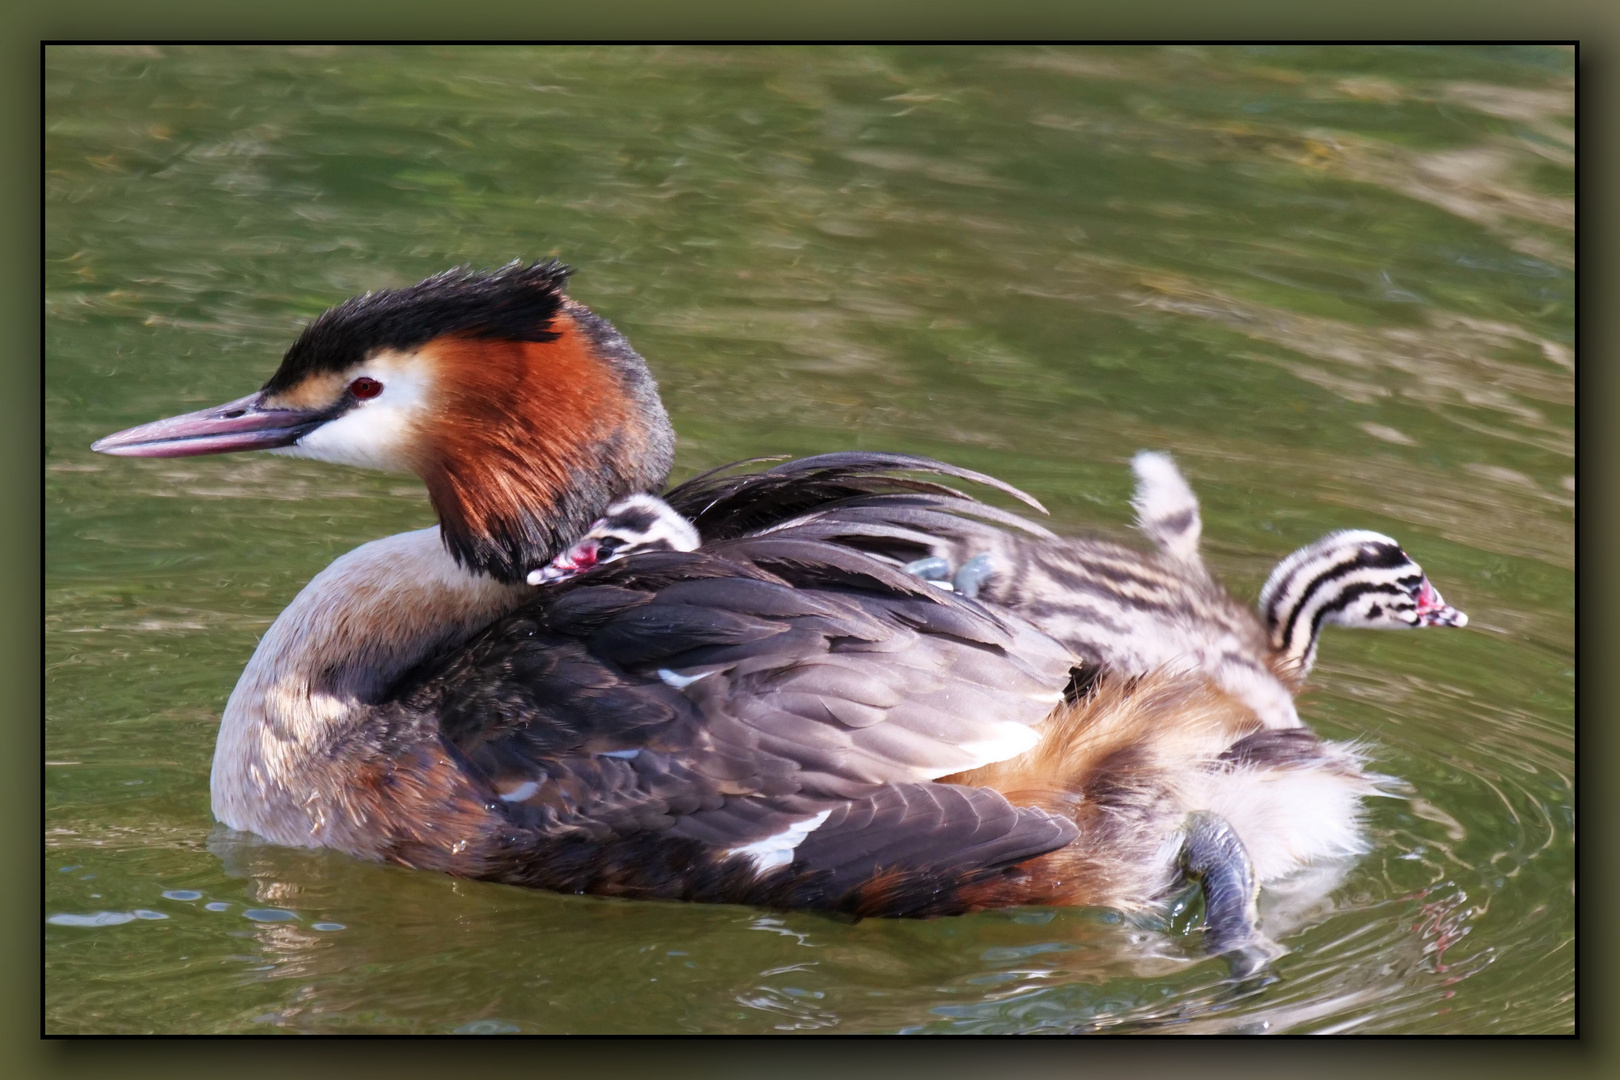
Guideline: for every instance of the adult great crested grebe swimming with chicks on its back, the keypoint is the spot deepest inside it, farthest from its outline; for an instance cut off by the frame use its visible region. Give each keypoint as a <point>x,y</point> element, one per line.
<point>778,715</point>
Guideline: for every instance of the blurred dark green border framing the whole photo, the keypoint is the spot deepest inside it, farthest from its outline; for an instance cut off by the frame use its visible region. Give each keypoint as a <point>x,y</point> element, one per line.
<point>27,23</point>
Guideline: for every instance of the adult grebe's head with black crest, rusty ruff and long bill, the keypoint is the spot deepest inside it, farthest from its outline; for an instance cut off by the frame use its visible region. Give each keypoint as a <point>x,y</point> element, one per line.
<point>524,412</point>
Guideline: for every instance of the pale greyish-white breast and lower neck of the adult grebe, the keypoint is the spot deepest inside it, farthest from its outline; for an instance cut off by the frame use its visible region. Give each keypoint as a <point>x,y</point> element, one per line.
<point>312,686</point>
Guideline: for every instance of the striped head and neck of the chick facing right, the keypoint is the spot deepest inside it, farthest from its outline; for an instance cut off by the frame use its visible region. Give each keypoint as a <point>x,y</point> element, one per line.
<point>1354,579</point>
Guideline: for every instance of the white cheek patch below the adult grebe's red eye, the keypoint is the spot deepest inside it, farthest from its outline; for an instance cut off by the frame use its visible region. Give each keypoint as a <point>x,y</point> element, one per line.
<point>382,432</point>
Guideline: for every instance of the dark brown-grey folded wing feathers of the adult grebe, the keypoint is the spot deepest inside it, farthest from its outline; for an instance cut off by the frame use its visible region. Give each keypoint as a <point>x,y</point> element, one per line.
<point>774,699</point>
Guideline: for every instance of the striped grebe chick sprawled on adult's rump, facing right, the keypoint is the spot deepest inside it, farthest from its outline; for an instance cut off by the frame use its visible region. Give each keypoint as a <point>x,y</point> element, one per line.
<point>1130,613</point>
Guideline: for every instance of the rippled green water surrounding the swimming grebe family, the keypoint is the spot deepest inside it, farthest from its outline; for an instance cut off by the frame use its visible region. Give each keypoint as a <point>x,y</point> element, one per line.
<point>1337,284</point>
